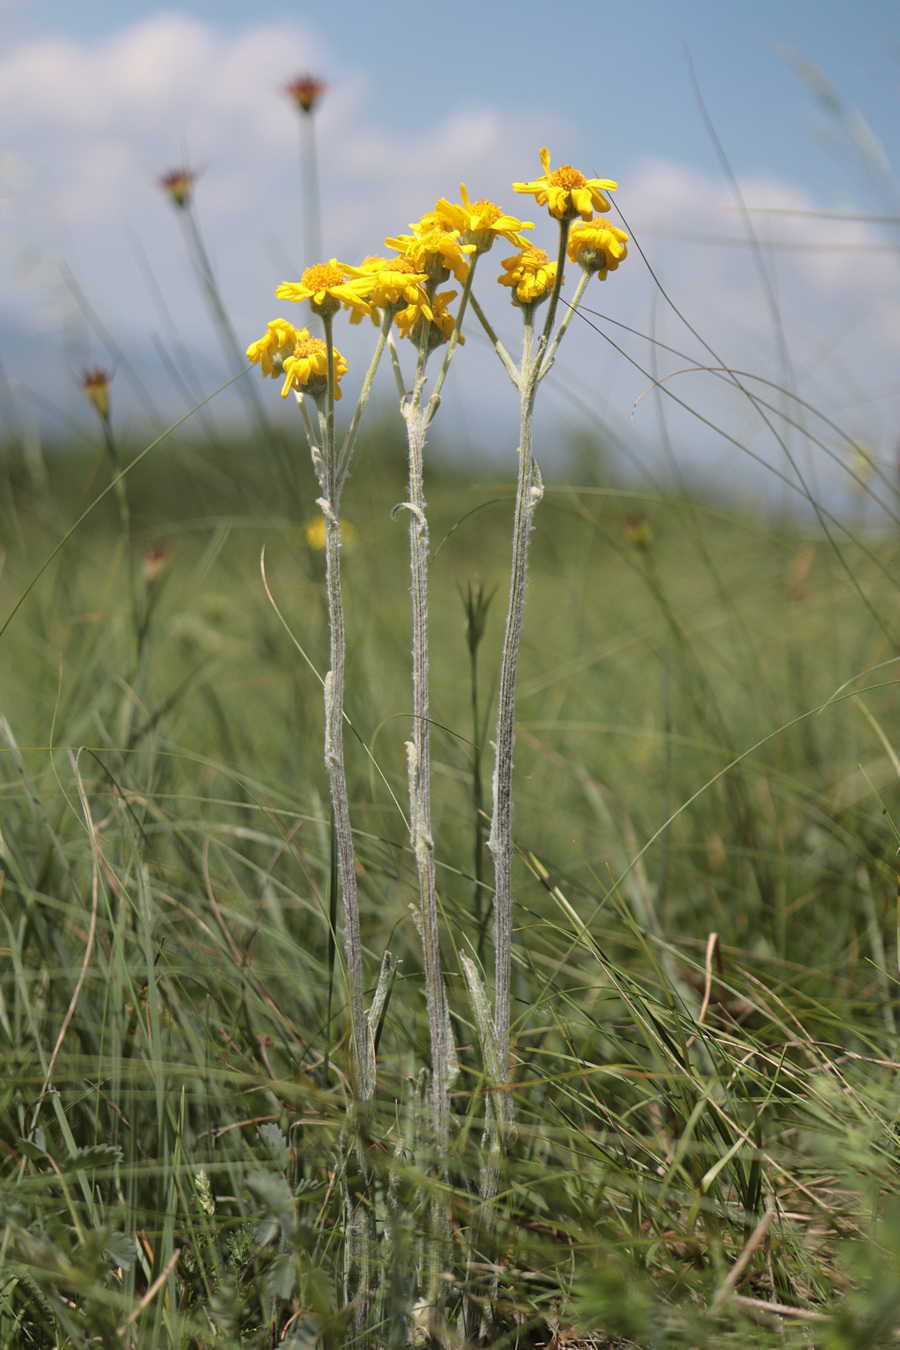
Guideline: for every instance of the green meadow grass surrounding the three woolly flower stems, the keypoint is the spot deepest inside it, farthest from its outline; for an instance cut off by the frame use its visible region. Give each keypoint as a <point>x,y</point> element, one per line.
<point>705,967</point>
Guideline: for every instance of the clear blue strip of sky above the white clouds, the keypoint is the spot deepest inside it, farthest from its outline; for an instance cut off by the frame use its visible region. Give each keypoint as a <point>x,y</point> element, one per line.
<point>617,76</point>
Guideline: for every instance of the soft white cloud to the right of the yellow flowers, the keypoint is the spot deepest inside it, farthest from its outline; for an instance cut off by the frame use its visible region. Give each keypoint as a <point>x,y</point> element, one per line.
<point>822,273</point>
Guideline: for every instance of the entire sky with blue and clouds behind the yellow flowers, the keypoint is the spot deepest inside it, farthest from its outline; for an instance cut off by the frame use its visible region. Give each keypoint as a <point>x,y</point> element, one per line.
<point>96,101</point>
